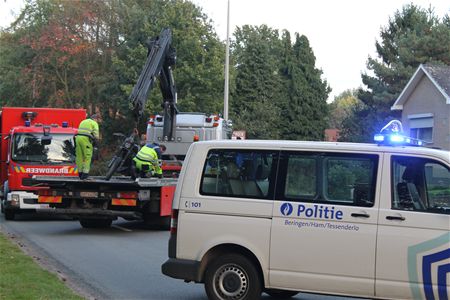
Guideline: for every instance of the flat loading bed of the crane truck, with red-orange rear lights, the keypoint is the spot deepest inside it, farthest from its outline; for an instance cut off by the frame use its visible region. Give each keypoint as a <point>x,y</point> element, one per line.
<point>97,197</point>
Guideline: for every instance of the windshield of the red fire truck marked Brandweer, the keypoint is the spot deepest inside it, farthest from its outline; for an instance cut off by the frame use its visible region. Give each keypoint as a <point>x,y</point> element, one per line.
<point>28,147</point>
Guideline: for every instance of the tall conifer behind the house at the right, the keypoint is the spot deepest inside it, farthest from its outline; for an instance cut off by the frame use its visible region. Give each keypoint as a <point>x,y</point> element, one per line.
<point>412,37</point>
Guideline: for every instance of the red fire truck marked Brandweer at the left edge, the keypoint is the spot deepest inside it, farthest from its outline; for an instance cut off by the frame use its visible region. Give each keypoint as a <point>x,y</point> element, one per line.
<point>34,141</point>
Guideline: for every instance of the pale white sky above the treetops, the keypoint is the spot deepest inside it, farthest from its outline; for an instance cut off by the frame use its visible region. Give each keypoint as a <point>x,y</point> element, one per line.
<point>342,33</point>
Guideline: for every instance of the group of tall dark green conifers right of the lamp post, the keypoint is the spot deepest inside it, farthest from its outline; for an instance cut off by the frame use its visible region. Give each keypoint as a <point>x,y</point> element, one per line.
<point>278,93</point>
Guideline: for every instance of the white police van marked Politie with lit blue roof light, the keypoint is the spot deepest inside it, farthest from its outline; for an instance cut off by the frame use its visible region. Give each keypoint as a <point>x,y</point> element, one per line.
<point>279,217</point>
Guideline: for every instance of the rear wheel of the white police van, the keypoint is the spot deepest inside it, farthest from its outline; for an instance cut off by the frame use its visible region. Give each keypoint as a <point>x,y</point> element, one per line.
<point>232,276</point>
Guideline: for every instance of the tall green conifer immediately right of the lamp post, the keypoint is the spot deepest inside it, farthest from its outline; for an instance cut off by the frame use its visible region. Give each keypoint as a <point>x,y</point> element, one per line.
<point>255,100</point>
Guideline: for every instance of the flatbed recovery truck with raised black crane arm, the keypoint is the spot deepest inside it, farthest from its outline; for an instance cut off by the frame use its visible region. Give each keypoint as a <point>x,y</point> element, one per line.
<point>98,201</point>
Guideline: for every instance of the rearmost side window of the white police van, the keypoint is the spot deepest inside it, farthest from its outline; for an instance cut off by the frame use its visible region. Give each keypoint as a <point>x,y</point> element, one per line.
<point>238,173</point>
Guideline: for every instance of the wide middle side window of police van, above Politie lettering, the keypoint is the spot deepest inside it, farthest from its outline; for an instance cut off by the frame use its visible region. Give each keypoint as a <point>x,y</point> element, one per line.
<point>338,178</point>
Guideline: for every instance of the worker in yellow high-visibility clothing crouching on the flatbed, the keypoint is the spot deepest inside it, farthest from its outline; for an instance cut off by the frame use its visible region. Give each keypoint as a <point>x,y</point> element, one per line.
<point>147,161</point>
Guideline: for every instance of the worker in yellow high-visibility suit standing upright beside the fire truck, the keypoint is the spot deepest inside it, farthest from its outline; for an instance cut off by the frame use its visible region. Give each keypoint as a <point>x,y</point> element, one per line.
<point>86,138</point>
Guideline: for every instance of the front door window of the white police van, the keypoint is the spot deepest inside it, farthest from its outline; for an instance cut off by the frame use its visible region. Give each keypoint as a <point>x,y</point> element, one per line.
<point>420,184</point>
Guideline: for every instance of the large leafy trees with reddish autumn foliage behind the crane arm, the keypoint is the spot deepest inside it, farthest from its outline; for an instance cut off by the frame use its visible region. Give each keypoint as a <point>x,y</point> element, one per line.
<point>90,53</point>
